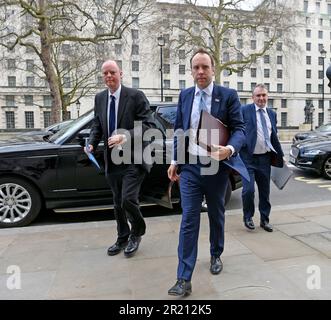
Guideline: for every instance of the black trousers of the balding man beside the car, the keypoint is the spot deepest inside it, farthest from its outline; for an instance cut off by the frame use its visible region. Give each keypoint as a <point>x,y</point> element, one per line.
<point>125,182</point>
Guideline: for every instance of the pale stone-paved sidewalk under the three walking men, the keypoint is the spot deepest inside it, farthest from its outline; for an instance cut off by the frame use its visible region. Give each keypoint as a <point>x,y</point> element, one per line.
<point>70,262</point>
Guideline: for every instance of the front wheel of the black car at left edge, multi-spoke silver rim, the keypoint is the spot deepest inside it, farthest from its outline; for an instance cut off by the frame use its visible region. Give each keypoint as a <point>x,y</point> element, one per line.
<point>20,202</point>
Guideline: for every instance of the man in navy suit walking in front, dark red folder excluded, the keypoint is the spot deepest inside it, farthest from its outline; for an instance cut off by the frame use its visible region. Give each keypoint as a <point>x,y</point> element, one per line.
<point>195,180</point>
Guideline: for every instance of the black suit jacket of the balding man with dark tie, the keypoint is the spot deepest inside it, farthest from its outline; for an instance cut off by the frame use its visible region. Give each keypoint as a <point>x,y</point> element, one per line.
<point>133,106</point>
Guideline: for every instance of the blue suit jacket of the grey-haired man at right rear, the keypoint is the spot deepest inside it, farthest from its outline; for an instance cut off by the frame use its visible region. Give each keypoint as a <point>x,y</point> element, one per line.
<point>249,114</point>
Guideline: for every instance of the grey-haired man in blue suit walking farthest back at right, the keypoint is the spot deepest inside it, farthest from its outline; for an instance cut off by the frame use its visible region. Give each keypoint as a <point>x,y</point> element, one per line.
<point>261,150</point>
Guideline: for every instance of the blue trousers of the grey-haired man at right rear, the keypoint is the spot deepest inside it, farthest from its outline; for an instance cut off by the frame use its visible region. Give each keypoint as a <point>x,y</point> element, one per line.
<point>259,172</point>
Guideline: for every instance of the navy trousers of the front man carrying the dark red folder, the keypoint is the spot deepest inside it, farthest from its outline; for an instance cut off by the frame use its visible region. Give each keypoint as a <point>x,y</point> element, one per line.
<point>192,188</point>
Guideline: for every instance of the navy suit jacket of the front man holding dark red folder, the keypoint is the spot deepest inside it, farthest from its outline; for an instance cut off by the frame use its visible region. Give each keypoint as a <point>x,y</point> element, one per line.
<point>226,107</point>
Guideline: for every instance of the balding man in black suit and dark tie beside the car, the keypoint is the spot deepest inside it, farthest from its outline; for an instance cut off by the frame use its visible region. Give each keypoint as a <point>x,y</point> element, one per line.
<point>116,110</point>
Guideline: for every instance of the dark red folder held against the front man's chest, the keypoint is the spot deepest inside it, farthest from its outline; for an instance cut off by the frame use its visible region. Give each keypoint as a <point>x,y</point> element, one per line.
<point>211,131</point>
